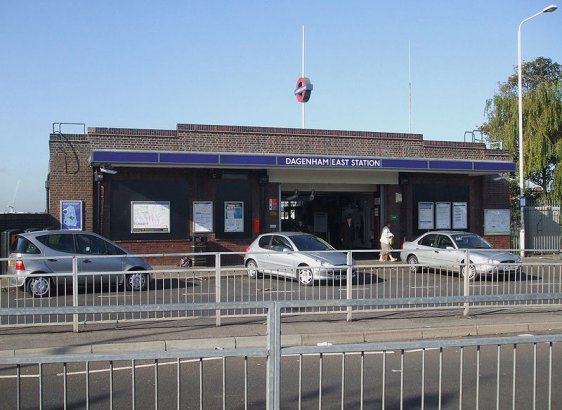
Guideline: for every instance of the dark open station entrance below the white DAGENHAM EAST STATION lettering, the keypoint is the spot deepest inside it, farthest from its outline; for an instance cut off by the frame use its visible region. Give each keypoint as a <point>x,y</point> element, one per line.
<point>324,213</point>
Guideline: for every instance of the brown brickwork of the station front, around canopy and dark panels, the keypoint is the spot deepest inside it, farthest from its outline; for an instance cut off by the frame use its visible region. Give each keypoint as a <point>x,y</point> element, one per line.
<point>72,177</point>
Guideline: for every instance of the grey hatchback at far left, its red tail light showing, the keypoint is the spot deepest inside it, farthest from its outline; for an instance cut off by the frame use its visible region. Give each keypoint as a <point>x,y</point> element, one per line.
<point>35,256</point>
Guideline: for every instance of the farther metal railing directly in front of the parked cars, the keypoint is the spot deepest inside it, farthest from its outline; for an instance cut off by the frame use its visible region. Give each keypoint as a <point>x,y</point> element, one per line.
<point>390,285</point>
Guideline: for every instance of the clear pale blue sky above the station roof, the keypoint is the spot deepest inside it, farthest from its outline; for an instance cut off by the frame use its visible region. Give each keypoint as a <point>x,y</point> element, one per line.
<point>156,64</point>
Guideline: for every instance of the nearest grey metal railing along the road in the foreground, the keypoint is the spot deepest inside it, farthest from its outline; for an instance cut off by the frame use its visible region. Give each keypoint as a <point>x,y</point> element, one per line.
<point>494,372</point>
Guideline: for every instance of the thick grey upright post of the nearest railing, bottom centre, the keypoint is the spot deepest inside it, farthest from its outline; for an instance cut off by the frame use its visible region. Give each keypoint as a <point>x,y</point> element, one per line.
<point>273,356</point>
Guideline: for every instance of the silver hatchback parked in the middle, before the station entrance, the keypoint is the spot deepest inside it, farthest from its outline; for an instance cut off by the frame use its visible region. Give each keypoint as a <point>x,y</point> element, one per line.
<point>296,255</point>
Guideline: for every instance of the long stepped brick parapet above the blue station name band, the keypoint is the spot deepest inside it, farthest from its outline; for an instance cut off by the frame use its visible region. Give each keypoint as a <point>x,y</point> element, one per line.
<point>222,138</point>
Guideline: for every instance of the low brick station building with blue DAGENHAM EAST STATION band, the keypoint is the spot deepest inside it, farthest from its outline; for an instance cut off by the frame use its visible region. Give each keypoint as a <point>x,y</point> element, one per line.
<point>162,191</point>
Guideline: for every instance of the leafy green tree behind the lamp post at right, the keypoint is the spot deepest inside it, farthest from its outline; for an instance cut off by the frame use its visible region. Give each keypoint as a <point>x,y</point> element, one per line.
<point>542,122</point>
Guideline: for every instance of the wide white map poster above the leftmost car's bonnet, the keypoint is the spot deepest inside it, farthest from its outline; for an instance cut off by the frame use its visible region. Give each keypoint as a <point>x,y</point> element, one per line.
<point>150,216</point>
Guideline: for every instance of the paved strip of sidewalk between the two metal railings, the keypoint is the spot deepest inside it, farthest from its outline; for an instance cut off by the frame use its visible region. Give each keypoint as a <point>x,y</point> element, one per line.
<point>297,330</point>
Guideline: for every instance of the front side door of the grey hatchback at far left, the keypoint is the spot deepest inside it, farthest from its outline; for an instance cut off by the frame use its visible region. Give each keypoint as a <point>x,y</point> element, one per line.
<point>96,255</point>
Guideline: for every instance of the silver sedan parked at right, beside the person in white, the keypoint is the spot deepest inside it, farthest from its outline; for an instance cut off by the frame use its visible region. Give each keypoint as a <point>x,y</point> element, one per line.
<point>448,250</point>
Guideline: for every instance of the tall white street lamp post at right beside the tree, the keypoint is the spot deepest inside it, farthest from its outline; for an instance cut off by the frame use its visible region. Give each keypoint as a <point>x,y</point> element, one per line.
<point>548,9</point>
